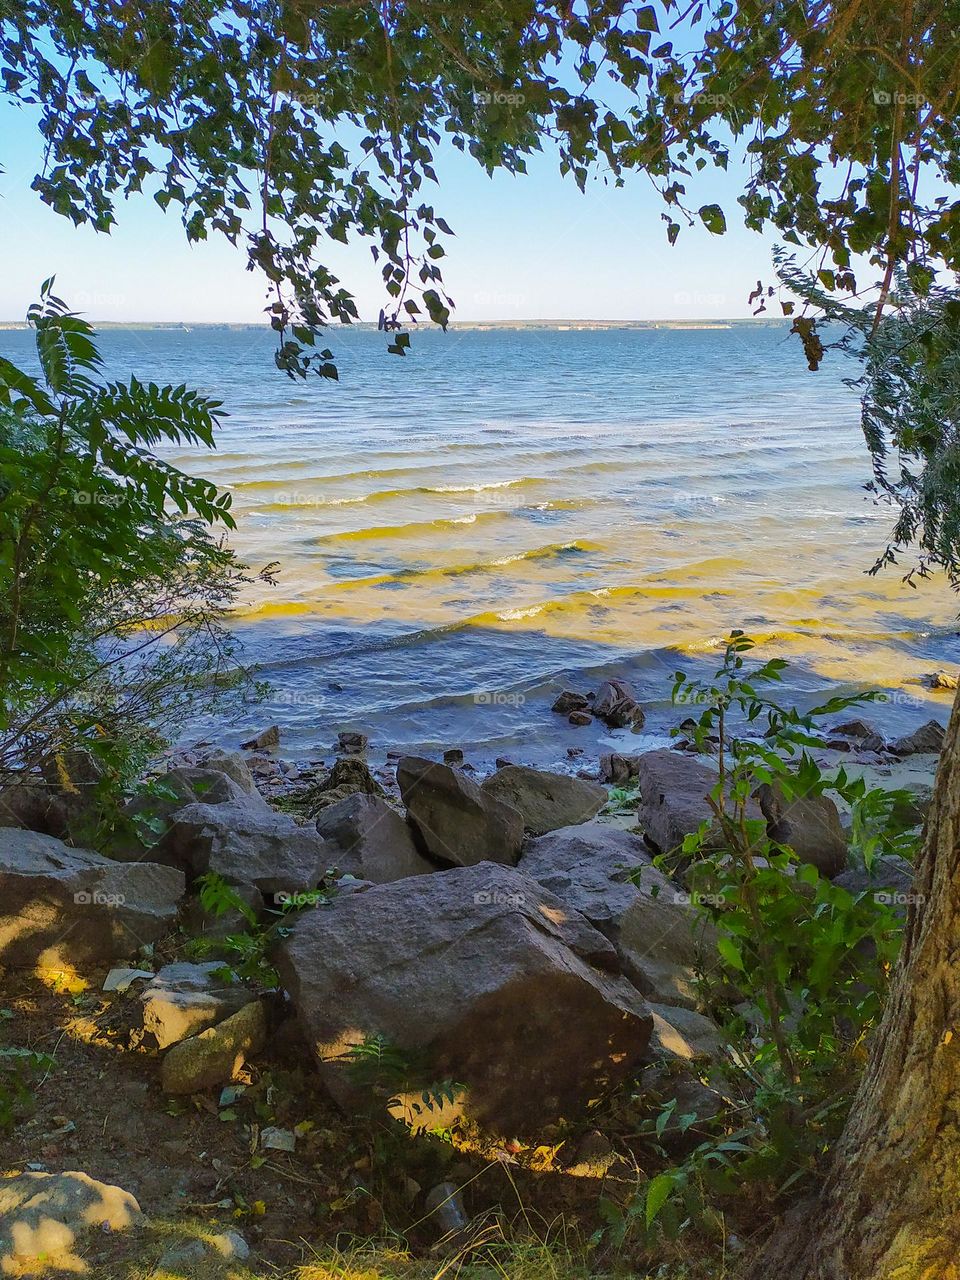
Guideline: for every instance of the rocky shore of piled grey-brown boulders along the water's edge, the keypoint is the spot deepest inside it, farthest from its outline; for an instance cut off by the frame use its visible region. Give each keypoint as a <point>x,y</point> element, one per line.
<point>502,949</point>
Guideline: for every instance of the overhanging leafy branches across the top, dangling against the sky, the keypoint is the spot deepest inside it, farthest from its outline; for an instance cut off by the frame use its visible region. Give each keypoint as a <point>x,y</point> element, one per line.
<point>284,126</point>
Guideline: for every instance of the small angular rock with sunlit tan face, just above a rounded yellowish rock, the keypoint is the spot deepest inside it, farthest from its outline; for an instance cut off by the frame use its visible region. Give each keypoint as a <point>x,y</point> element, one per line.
<point>186,999</point>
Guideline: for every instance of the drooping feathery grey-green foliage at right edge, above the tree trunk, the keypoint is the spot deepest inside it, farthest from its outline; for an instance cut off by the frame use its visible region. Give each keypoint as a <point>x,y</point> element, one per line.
<point>911,371</point>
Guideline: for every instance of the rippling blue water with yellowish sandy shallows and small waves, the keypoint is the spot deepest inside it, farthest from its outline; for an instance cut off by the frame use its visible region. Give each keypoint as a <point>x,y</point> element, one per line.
<point>464,532</point>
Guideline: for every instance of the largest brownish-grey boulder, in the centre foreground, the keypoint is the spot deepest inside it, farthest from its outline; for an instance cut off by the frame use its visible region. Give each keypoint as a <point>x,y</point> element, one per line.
<point>477,976</point>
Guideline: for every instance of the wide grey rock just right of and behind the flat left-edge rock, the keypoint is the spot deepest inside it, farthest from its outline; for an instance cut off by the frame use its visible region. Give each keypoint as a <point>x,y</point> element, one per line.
<point>246,847</point>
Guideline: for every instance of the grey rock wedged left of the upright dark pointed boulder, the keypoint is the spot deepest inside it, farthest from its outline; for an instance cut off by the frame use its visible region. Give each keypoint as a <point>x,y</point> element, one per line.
<point>368,839</point>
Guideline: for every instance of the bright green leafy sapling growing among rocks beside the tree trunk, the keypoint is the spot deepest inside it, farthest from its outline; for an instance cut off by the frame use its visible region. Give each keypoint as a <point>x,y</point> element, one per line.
<point>808,961</point>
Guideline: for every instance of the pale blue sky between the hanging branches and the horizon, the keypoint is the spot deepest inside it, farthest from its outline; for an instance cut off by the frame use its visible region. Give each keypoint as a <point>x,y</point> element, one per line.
<point>527,248</point>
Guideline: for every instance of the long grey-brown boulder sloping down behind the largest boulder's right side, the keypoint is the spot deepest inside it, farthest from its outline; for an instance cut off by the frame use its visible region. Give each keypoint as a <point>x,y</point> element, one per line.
<point>607,876</point>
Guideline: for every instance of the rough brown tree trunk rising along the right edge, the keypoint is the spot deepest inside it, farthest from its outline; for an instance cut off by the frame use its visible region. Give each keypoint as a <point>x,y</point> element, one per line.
<point>890,1209</point>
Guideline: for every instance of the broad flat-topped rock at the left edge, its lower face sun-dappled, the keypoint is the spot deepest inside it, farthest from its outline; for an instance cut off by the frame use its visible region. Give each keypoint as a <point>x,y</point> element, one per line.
<point>66,907</point>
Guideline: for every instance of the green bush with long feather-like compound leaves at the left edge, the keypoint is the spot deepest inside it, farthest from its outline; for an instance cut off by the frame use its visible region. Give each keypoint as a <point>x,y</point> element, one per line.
<point>115,589</point>
